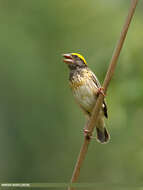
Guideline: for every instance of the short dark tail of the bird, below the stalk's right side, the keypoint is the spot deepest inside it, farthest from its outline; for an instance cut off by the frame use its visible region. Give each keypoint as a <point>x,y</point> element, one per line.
<point>102,135</point>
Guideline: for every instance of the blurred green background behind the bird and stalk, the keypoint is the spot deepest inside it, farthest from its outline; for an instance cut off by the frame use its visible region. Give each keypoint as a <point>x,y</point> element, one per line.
<point>40,124</point>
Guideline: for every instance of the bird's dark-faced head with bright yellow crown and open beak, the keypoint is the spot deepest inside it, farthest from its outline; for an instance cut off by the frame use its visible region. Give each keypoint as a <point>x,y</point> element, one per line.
<point>74,60</point>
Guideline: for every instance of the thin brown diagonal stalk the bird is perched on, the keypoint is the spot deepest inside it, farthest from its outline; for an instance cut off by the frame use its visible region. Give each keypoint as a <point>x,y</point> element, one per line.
<point>108,77</point>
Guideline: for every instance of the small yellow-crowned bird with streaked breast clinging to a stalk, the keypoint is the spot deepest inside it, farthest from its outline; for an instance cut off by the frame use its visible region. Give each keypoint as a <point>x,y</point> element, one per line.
<point>86,88</point>
